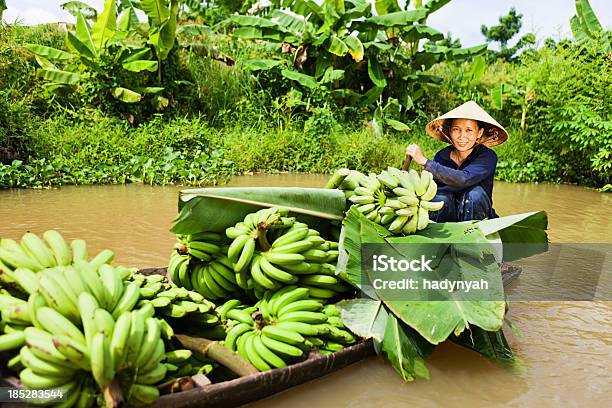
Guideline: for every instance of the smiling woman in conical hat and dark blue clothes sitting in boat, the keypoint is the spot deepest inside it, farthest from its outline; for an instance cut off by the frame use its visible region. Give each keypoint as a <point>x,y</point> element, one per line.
<point>464,170</point>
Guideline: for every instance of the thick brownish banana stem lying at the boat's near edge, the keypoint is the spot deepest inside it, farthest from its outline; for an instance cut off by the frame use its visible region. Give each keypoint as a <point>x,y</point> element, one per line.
<point>219,353</point>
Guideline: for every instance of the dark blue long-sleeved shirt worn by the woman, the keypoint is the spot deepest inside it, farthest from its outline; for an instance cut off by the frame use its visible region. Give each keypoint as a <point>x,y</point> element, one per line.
<point>477,169</point>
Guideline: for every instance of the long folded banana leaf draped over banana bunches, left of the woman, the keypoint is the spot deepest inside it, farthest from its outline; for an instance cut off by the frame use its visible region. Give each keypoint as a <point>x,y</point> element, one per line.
<point>214,209</point>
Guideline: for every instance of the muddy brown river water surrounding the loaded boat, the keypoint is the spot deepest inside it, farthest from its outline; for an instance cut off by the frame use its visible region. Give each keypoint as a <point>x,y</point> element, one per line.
<point>565,350</point>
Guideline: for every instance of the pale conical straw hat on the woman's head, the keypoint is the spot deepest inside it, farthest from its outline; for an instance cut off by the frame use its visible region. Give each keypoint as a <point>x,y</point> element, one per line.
<point>493,134</point>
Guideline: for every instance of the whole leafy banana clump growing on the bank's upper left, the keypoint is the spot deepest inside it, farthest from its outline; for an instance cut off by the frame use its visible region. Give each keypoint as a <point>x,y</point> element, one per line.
<point>111,57</point>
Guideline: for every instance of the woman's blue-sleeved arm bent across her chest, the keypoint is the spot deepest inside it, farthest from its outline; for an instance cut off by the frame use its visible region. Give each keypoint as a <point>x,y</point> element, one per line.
<point>481,168</point>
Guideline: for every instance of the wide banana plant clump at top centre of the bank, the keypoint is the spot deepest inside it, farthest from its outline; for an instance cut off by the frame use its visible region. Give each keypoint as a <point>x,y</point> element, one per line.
<point>345,36</point>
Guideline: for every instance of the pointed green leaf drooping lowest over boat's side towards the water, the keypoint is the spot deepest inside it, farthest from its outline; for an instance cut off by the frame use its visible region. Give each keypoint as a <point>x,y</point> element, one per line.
<point>402,351</point>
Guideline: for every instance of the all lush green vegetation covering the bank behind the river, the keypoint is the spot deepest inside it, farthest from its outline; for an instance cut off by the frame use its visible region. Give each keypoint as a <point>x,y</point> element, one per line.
<point>198,91</point>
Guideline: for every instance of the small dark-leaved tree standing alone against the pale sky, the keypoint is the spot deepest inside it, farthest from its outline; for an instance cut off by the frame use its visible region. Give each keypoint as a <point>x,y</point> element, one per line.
<point>509,26</point>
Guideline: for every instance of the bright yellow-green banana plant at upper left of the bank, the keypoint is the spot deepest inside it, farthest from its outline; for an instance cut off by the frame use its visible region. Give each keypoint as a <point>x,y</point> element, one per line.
<point>94,52</point>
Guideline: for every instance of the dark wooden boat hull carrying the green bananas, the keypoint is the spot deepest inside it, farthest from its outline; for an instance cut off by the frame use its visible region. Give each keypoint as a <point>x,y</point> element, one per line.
<point>257,386</point>
